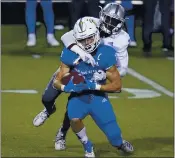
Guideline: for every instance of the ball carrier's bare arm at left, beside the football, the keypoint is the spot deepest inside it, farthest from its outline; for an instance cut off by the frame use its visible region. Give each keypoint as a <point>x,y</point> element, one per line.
<point>64,69</point>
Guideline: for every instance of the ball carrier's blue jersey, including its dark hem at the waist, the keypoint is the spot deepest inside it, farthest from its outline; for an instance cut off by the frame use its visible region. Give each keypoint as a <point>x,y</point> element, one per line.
<point>104,58</point>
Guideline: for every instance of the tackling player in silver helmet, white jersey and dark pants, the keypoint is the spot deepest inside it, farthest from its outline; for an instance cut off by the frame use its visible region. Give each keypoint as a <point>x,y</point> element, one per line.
<point>112,18</point>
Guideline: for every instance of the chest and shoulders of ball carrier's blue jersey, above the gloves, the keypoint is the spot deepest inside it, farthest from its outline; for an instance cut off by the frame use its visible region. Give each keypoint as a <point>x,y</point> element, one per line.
<point>104,58</point>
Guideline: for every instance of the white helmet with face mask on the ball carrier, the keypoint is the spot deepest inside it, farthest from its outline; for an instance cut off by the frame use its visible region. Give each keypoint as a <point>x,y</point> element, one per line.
<point>86,34</point>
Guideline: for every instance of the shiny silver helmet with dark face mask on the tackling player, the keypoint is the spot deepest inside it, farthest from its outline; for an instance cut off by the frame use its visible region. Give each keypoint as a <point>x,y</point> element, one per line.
<point>112,18</point>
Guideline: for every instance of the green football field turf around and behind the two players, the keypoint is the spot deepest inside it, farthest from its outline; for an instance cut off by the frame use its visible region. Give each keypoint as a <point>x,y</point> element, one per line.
<point>144,112</point>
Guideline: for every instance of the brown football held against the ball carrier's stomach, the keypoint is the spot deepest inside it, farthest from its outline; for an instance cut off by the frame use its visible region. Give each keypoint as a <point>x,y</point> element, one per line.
<point>78,78</point>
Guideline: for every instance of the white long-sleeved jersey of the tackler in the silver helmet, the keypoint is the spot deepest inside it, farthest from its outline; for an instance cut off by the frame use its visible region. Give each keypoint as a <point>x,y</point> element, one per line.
<point>119,42</point>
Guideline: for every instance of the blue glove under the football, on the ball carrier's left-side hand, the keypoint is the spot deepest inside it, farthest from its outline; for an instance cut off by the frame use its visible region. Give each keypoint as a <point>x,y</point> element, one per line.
<point>71,87</point>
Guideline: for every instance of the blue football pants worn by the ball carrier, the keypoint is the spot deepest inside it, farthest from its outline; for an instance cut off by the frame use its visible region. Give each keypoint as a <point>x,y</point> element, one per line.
<point>101,111</point>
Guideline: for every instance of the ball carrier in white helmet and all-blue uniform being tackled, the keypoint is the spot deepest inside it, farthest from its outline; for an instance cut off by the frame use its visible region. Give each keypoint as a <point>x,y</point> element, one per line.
<point>90,98</point>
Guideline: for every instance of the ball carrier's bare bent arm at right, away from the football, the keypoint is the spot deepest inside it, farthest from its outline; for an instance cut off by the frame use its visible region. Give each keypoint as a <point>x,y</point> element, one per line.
<point>115,83</point>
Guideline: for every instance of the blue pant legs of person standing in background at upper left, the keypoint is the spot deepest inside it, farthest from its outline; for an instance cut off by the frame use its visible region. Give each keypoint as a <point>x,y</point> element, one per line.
<point>31,15</point>
